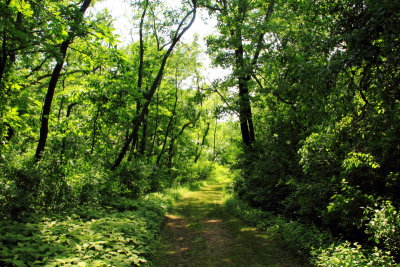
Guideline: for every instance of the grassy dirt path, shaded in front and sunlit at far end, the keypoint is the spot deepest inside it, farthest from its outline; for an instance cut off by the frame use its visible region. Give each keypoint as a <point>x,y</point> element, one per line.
<point>200,232</point>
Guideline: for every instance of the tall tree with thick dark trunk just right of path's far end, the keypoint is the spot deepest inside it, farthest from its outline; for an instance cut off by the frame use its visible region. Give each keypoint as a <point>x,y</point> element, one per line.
<point>243,25</point>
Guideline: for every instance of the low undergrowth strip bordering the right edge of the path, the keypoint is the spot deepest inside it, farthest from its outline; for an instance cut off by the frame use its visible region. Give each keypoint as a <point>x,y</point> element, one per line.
<point>309,242</point>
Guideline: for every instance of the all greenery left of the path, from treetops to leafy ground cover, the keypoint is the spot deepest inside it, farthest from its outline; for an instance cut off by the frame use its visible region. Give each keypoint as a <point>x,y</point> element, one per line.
<point>88,128</point>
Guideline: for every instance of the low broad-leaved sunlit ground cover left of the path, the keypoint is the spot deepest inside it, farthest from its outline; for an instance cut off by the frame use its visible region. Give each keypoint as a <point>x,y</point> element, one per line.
<point>120,232</point>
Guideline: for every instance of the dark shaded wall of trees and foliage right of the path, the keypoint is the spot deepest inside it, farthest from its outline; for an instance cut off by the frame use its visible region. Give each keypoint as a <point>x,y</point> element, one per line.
<point>324,92</point>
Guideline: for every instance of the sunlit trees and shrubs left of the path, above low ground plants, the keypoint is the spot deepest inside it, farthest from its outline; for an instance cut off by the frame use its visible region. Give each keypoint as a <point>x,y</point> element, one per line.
<point>85,120</point>
